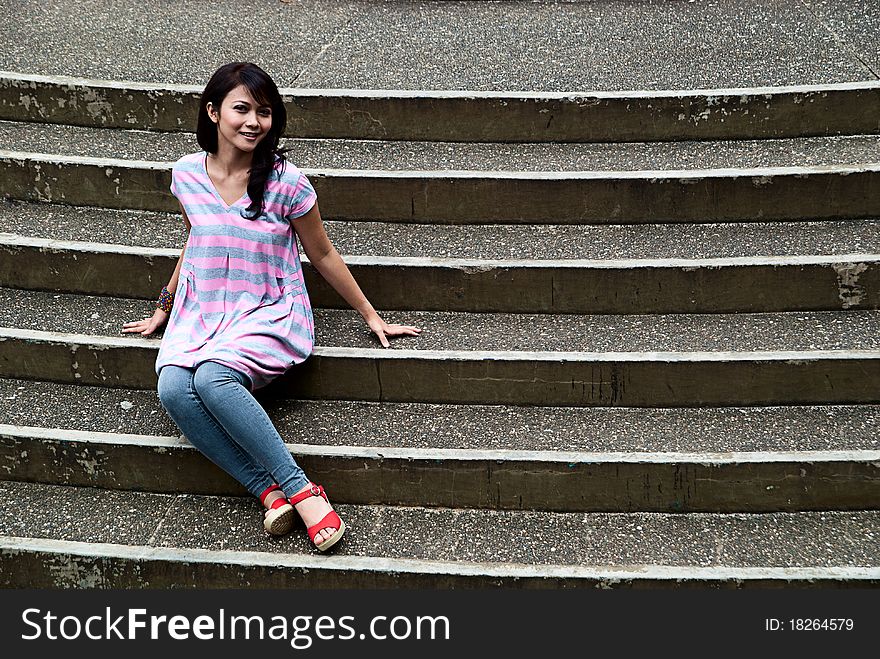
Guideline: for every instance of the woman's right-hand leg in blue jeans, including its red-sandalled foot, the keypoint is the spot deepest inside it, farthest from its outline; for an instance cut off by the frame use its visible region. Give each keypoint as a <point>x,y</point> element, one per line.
<point>225,395</point>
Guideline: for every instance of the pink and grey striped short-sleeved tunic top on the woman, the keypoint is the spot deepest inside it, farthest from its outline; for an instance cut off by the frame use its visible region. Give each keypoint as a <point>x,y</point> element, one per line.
<point>241,299</point>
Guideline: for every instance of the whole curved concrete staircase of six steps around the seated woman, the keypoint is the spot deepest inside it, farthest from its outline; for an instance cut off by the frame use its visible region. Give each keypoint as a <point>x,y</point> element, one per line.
<point>650,352</point>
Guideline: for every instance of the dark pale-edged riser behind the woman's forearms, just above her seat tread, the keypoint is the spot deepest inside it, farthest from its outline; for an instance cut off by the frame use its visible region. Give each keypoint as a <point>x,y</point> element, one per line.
<point>564,286</point>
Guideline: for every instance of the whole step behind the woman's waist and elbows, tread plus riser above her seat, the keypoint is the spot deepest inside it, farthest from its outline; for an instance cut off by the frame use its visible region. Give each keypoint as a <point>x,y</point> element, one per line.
<point>526,269</point>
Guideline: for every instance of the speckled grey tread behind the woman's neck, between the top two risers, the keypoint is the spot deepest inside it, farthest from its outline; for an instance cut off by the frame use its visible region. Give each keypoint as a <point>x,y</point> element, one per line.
<point>67,140</point>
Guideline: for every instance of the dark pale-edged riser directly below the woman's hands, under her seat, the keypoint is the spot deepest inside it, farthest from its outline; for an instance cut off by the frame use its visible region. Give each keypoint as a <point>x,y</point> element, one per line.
<point>520,378</point>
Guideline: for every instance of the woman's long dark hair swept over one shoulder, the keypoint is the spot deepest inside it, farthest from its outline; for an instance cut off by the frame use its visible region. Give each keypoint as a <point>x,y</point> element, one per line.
<point>265,92</point>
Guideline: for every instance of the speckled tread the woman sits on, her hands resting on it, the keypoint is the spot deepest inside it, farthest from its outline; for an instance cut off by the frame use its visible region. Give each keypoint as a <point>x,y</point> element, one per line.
<point>103,316</point>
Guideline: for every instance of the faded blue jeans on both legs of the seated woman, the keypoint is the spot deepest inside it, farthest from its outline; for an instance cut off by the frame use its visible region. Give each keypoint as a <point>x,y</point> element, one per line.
<point>213,407</point>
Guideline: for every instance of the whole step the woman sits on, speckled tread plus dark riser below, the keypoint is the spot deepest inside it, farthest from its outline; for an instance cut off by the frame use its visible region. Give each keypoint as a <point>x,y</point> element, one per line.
<point>492,358</point>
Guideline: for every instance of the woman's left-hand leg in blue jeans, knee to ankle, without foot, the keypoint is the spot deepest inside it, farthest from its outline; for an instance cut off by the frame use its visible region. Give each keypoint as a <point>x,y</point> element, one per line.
<point>181,401</point>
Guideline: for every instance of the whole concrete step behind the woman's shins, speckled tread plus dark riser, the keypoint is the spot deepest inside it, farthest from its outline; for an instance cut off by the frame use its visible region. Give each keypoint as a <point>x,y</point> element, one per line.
<point>496,457</point>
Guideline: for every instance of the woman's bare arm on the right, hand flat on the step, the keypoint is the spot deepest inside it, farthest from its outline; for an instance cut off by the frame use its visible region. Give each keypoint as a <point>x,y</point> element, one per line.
<point>330,265</point>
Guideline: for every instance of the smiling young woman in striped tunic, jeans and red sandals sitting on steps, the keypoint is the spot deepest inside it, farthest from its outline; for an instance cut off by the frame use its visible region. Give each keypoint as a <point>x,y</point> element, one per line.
<point>239,315</point>
